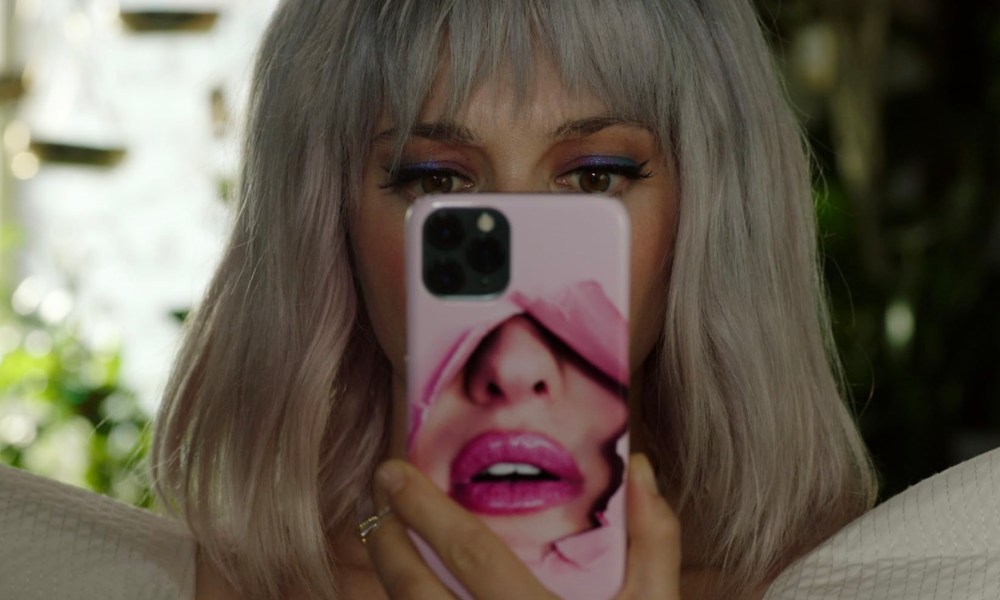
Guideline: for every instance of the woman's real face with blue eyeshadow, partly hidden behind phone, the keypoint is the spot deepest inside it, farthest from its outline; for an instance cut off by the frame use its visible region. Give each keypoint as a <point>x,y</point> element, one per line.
<point>554,142</point>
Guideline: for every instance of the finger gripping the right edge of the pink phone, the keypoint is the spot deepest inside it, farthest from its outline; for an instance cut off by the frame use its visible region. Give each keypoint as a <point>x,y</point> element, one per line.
<point>654,532</point>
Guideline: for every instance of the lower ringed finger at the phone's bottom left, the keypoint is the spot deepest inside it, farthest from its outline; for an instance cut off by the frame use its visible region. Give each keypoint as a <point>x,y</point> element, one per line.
<point>404,574</point>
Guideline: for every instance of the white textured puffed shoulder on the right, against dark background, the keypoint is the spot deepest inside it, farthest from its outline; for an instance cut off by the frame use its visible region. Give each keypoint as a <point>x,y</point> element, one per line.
<point>938,539</point>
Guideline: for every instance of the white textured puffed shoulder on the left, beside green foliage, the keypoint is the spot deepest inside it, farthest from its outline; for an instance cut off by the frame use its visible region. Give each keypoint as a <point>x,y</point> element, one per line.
<point>57,541</point>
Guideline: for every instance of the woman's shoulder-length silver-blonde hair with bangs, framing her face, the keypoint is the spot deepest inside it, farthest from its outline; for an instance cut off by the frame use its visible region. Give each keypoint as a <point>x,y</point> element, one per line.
<point>276,414</point>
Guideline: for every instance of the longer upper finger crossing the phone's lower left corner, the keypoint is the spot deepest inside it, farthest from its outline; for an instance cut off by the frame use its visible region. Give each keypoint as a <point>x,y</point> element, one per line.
<point>477,558</point>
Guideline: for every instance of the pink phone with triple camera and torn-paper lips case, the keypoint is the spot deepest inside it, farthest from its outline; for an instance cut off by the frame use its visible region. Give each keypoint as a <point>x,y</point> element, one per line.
<point>517,373</point>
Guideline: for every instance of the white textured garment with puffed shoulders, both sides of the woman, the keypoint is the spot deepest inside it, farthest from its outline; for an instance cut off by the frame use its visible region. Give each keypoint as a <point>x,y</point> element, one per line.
<point>939,540</point>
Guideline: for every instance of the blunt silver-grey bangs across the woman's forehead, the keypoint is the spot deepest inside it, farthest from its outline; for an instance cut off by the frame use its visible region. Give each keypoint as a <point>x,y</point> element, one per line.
<point>613,50</point>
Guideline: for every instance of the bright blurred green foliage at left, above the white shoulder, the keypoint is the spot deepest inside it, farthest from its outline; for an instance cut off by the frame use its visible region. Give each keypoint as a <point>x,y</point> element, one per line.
<point>64,413</point>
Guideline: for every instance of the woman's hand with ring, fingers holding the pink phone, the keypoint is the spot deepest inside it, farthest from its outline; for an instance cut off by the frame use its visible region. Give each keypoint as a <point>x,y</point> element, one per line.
<point>485,565</point>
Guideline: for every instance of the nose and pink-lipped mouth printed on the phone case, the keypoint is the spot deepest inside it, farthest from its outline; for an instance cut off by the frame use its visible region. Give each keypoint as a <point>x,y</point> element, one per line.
<point>526,429</point>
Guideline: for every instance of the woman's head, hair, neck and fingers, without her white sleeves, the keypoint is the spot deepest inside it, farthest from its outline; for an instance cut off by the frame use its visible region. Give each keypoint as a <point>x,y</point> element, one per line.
<point>288,392</point>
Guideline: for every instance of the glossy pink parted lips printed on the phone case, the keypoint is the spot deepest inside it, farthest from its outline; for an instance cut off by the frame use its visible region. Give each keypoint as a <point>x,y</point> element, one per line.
<point>510,472</point>
